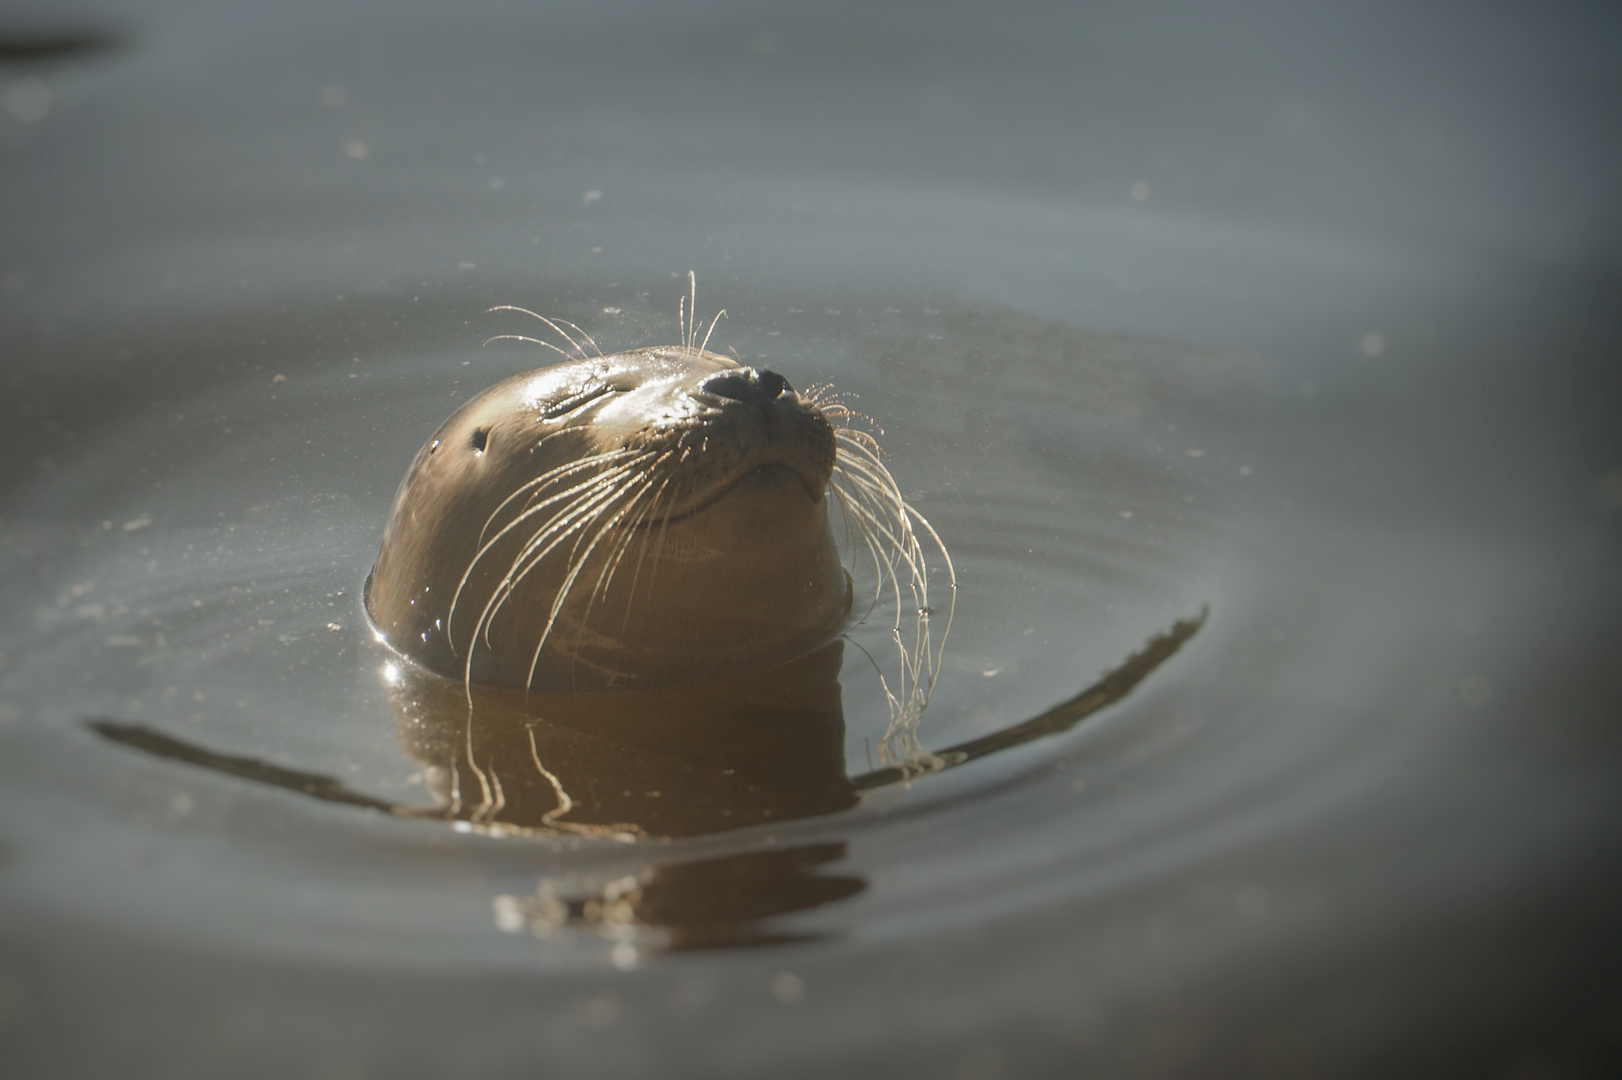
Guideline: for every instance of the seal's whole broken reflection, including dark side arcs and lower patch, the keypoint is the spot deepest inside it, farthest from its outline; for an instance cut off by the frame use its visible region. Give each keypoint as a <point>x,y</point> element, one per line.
<point>689,761</point>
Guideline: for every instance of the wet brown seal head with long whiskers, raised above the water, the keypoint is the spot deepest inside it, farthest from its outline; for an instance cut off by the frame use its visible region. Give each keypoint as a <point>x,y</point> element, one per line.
<point>640,520</point>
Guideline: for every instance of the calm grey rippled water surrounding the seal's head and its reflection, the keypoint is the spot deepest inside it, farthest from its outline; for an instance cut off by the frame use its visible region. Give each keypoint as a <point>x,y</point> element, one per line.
<point>1365,818</point>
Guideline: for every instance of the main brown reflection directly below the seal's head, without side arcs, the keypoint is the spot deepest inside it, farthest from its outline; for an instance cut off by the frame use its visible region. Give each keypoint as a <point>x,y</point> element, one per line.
<point>680,761</point>
